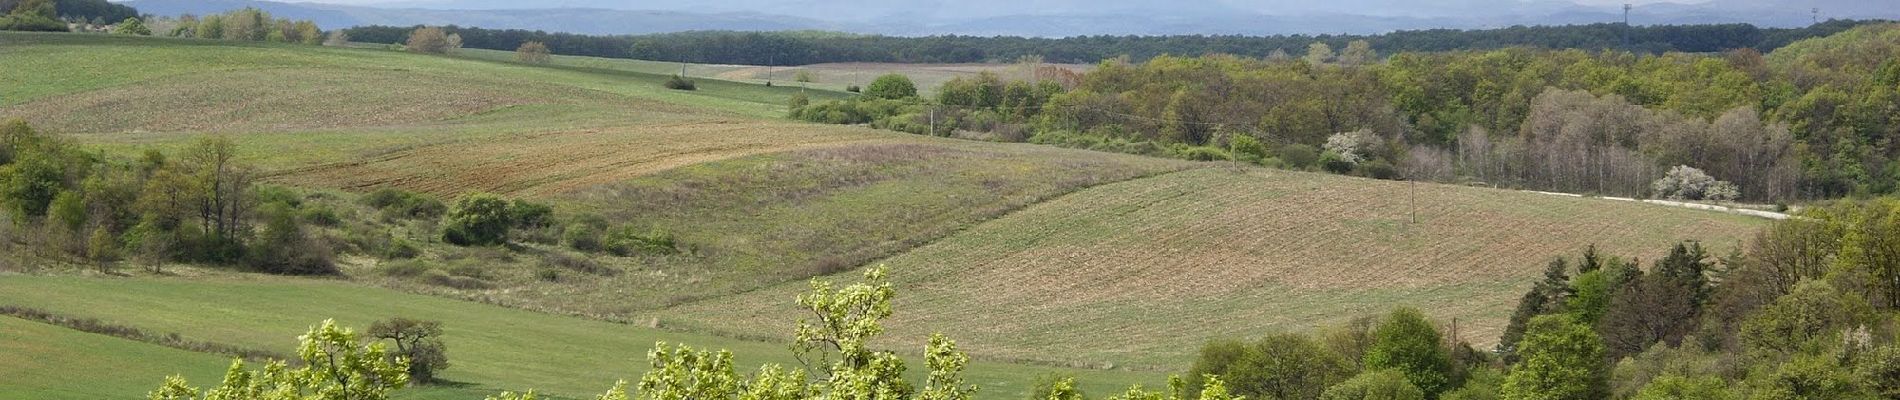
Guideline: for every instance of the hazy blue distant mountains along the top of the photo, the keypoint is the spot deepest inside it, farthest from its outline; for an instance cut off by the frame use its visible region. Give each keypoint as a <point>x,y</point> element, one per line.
<point>1031,18</point>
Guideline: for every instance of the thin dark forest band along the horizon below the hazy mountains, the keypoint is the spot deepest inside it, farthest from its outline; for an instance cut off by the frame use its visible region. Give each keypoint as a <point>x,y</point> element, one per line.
<point>814,48</point>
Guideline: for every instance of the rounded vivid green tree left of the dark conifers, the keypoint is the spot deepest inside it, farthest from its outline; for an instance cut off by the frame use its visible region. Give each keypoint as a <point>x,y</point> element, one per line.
<point>1411,346</point>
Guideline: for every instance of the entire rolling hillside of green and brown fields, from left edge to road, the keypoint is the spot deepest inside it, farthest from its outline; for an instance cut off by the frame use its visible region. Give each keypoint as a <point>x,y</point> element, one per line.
<point>1111,264</point>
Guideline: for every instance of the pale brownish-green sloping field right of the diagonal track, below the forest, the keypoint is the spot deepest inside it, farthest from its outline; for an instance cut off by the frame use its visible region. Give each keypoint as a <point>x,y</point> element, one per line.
<point>1162,264</point>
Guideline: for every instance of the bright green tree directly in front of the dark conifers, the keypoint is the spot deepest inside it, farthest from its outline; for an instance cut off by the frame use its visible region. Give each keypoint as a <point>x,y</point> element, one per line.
<point>1563,361</point>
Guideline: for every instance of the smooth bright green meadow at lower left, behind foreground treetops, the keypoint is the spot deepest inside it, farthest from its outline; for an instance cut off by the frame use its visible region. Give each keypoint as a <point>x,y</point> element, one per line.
<point>491,348</point>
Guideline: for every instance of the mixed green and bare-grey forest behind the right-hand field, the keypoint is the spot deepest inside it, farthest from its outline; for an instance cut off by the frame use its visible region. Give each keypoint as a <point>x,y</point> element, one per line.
<point>1812,120</point>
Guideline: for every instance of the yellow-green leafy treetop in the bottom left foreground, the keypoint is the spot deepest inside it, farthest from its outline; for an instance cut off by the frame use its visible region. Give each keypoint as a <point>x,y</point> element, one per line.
<point>335,367</point>
